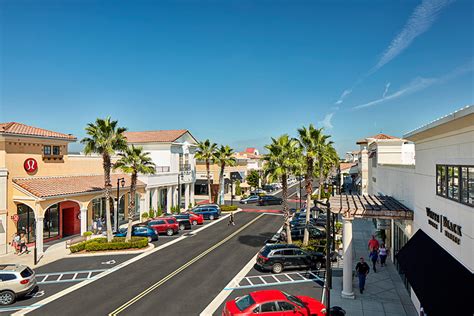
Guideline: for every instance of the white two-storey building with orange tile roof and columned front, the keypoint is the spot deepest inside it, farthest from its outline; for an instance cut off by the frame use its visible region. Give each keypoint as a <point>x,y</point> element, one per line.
<point>172,152</point>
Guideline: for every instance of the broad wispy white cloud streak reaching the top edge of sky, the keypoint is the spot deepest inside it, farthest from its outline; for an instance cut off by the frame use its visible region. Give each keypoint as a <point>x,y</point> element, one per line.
<point>419,22</point>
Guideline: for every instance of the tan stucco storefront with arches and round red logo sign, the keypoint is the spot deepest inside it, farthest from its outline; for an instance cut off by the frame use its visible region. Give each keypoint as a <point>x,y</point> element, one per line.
<point>47,193</point>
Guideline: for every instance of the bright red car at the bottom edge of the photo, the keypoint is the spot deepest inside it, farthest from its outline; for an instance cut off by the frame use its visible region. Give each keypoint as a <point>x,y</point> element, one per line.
<point>273,303</point>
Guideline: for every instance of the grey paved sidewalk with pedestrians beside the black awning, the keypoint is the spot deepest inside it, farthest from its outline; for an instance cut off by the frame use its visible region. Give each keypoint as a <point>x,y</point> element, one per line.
<point>384,292</point>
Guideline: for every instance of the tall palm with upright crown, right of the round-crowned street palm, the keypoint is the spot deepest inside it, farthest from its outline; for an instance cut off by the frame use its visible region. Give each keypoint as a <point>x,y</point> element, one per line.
<point>313,141</point>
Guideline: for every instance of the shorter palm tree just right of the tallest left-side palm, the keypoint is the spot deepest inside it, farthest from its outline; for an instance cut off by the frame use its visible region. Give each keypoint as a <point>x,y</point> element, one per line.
<point>135,161</point>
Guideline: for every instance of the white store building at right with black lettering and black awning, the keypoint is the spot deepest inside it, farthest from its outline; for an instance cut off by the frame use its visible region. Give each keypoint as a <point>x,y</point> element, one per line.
<point>435,252</point>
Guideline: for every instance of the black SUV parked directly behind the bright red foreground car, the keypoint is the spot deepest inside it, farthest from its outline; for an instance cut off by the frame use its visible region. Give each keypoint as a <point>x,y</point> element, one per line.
<point>277,257</point>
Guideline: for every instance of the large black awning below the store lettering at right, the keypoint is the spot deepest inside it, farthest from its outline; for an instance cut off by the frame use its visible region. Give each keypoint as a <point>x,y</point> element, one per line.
<point>441,283</point>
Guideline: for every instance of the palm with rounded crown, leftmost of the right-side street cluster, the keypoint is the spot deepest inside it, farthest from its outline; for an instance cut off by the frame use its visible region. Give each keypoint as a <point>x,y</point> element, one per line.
<point>282,156</point>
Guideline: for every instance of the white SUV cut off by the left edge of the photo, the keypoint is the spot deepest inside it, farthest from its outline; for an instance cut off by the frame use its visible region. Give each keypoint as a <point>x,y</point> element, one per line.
<point>16,281</point>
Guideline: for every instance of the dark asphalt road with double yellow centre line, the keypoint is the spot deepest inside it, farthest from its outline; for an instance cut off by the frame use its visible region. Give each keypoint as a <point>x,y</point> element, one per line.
<point>187,292</point>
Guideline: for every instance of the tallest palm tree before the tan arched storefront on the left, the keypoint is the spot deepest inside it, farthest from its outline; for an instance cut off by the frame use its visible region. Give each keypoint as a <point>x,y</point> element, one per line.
<point>105,138</point>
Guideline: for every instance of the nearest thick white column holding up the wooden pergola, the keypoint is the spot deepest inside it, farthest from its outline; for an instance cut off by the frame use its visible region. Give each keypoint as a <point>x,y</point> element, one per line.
<point>347,291</point>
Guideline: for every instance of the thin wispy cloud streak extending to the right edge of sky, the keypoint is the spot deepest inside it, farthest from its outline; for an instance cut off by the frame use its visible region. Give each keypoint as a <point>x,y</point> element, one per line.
<point>417,85</point>
